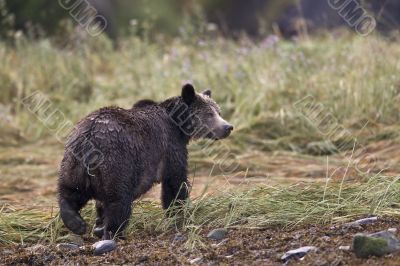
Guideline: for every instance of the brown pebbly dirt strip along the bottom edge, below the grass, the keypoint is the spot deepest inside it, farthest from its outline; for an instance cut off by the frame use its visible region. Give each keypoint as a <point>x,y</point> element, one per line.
<point>241,247</point>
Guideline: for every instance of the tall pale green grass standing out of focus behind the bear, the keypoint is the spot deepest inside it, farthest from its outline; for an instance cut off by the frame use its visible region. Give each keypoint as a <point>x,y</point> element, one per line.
<point>355,79</point>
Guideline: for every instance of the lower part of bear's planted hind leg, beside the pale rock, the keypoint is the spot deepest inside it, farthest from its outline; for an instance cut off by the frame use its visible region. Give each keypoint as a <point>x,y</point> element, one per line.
<point>116,218</point>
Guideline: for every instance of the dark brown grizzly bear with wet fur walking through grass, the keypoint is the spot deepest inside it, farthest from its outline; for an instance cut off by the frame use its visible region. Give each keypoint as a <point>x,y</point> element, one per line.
<point>115,155</point>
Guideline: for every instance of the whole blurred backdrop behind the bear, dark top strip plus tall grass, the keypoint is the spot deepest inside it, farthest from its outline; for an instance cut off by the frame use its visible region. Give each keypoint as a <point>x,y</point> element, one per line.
<point>147,49</point>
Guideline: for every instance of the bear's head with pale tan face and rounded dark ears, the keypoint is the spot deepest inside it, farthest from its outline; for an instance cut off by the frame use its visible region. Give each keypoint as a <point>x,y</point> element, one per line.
<point>203,115</point>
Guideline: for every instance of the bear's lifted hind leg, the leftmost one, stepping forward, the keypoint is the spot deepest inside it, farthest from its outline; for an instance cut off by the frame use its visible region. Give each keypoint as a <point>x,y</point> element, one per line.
<point>71,201</point>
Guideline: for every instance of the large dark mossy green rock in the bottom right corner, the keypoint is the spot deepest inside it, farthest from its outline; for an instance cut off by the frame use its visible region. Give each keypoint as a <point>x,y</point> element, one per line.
<point>376,244</point>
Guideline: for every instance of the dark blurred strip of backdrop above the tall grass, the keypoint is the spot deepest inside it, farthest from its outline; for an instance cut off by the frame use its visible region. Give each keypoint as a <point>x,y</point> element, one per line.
<point>233,18</point>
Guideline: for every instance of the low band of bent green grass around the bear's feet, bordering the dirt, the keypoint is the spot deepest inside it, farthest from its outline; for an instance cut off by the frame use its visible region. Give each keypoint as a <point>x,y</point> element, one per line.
<point>259,207</point>
